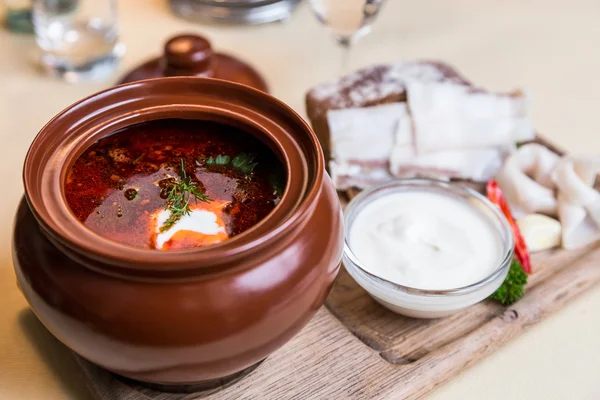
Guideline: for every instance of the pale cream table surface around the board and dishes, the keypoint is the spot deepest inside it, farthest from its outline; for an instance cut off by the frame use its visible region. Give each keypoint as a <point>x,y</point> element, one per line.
<point>549,47</point>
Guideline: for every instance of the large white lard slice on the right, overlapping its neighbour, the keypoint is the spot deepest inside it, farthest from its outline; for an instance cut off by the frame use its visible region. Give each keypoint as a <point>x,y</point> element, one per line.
<point>448,115</point>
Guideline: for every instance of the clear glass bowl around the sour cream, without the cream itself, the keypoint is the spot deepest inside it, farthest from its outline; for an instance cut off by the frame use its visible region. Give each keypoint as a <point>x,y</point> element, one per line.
<point>426,303</point>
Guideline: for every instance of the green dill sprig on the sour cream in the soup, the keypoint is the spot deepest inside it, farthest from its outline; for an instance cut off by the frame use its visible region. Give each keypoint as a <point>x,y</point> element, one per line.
<point>180,193</point>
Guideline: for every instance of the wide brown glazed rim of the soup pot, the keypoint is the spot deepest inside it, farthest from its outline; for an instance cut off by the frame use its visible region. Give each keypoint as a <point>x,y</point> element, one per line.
<point>51,154</point>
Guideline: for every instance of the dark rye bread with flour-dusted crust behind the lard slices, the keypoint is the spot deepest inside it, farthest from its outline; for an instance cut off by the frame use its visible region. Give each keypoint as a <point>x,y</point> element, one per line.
<point>380,84</point>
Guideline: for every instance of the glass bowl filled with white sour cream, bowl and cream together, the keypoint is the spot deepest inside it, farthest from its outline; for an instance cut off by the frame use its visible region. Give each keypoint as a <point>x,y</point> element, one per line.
<point>426,248</point>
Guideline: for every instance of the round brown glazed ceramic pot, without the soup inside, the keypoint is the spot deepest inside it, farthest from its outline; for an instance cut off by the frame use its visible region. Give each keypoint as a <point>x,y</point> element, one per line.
<point>188,316</point>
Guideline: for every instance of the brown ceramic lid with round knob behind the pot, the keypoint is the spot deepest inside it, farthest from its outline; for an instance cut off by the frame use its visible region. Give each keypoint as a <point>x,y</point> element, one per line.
<point>192,55</point>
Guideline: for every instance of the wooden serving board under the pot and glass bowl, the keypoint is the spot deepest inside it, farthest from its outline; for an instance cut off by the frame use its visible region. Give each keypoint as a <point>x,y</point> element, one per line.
<point>356,349</point>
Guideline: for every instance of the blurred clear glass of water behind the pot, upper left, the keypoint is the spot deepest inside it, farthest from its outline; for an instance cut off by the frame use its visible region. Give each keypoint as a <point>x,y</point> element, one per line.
<point>78,39</point>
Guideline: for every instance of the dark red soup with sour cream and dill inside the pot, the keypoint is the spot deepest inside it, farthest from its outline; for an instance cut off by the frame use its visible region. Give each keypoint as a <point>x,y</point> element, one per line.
<point>173,184</point>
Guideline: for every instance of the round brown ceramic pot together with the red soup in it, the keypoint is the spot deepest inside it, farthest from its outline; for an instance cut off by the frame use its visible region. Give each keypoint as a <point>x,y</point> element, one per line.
<point>177,231</point>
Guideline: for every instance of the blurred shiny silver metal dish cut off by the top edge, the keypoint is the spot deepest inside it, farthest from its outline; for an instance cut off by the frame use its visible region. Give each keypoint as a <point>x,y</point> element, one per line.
<point>235,11</point>
